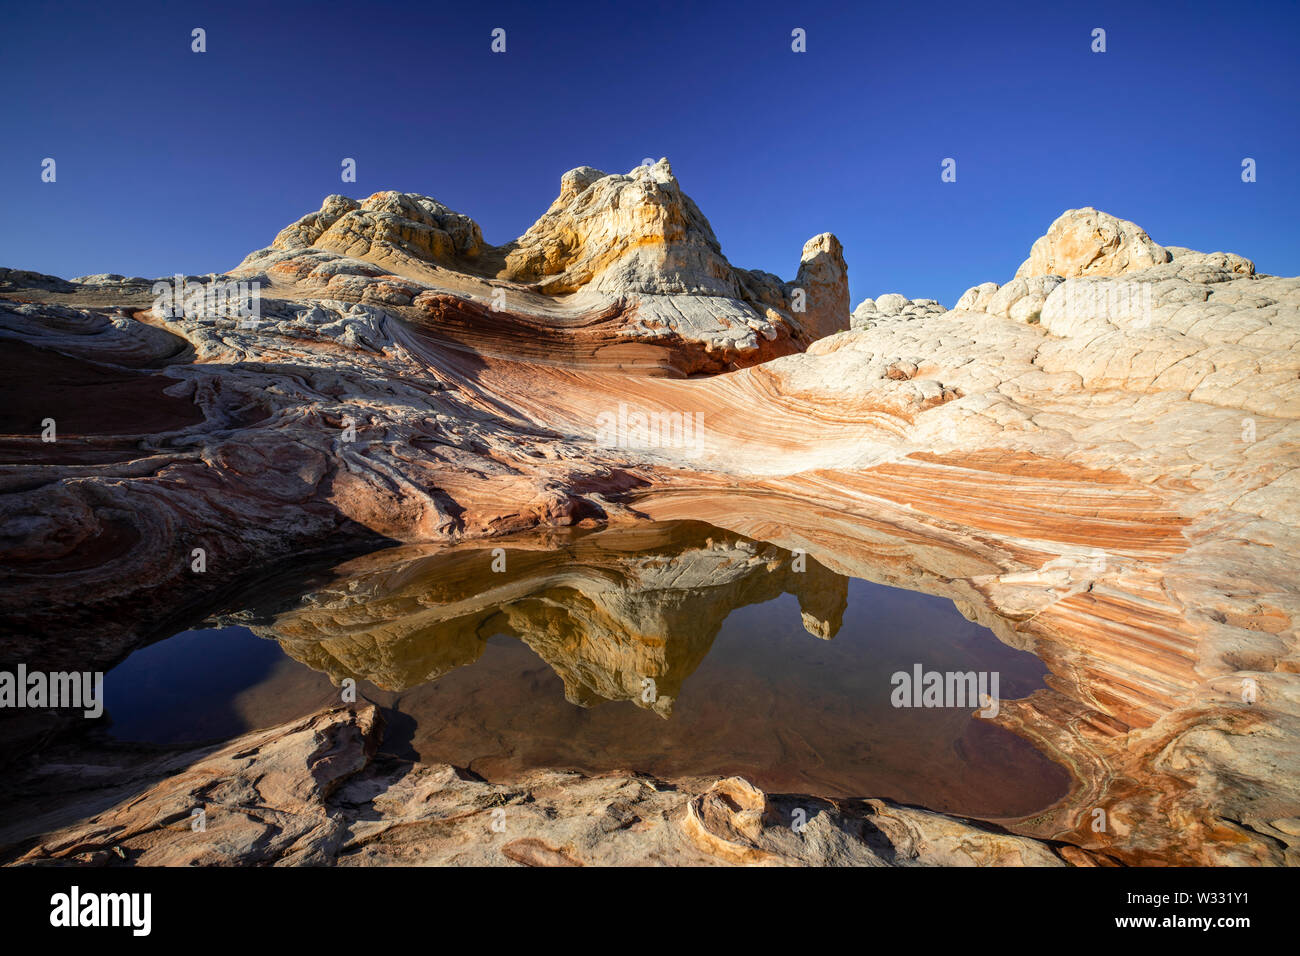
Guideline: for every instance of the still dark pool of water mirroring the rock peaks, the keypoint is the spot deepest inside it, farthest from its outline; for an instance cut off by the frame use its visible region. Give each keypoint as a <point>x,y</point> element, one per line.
<point>488,672</point>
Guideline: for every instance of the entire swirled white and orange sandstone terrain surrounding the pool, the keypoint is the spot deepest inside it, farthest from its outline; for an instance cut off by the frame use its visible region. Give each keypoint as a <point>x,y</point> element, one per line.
<point>1098,460</point>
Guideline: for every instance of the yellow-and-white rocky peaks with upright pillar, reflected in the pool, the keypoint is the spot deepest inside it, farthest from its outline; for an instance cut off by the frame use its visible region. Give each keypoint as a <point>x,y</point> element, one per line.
<point>625,265</point>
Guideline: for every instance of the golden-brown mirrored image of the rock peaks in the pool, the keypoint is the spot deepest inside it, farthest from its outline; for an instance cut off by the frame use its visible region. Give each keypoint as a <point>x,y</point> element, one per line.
<point>609,611</point>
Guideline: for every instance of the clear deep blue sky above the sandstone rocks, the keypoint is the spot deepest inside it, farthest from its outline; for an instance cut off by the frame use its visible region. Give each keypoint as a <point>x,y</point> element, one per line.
<point>171,161</point>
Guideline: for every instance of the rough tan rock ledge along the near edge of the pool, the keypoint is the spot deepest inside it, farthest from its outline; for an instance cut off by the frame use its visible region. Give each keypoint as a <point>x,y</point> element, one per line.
<point>318,793</point>
